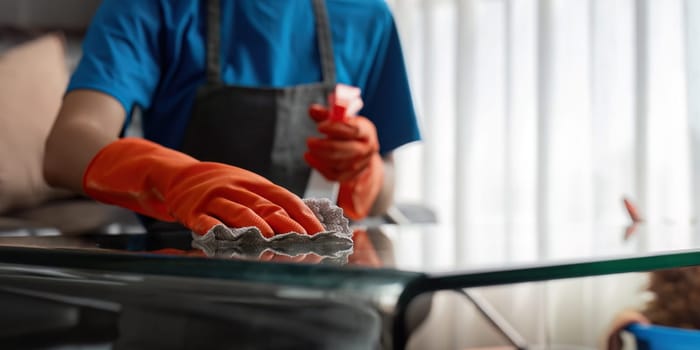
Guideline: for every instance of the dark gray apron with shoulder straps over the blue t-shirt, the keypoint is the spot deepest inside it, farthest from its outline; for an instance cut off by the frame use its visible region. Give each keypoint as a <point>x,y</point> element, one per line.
<point>263,130</point>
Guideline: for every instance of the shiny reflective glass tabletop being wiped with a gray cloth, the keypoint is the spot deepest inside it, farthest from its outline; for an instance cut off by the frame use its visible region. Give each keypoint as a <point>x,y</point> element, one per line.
<point>388,253</point>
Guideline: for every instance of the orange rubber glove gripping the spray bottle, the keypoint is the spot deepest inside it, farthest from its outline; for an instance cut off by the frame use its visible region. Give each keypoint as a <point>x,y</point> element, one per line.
<point>349,154</point>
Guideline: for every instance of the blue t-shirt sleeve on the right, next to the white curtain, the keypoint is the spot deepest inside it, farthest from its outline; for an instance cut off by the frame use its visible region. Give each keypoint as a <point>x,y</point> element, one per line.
<point>387,97</point>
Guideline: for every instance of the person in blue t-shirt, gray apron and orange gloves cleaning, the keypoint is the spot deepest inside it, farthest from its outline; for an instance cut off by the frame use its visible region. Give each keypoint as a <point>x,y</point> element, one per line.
<point>233,99</point>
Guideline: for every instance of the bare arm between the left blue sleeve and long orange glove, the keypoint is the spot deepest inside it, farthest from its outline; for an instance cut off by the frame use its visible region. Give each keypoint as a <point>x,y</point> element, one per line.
<point>87,122</point>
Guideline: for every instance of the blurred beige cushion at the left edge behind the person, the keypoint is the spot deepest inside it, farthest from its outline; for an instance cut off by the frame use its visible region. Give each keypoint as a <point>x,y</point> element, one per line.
<point>33,79</point>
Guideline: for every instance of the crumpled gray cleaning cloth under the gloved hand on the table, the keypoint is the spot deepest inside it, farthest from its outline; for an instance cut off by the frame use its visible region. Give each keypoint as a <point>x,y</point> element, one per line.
<point>334,244</point>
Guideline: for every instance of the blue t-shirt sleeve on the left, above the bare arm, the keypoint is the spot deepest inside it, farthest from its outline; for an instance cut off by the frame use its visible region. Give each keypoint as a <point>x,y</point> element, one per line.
<point>121,55</point>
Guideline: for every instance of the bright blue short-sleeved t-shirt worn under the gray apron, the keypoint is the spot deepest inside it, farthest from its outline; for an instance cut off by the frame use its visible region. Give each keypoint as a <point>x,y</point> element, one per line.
<point>151,54</point>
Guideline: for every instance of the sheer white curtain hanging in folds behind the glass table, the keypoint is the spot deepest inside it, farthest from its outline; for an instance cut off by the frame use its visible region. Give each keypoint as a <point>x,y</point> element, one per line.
<point>538,117</point>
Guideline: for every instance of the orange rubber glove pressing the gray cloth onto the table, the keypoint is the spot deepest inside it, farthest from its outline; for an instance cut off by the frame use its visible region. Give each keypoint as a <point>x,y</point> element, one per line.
<point>171,186</point>
